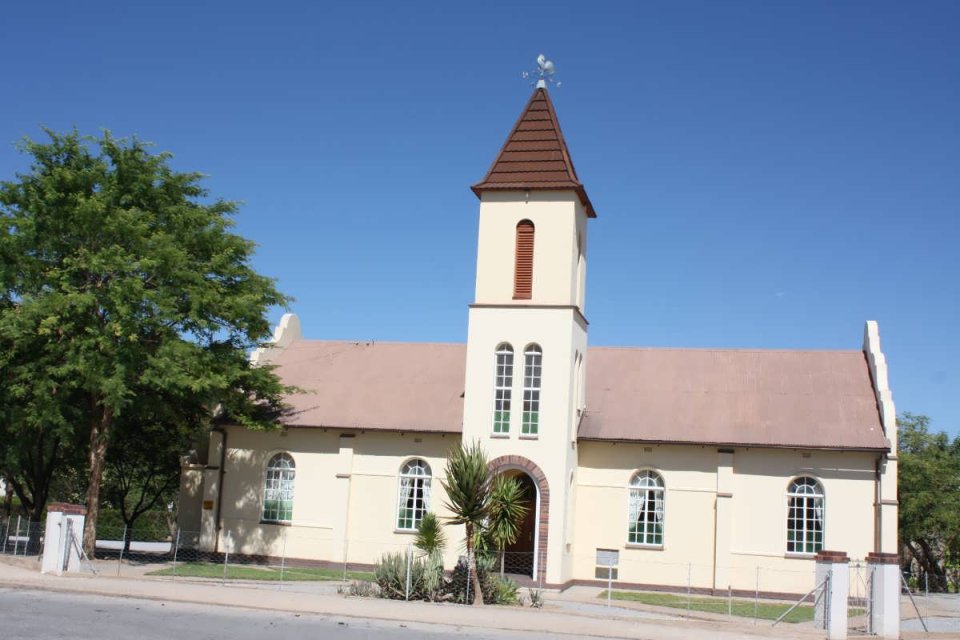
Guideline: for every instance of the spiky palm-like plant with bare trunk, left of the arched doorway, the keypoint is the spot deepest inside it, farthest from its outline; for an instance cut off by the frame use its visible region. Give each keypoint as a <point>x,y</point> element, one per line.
<point>468,486</point>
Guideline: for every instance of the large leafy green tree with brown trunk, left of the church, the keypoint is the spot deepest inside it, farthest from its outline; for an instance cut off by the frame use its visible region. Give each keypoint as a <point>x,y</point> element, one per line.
<point>121,280</point>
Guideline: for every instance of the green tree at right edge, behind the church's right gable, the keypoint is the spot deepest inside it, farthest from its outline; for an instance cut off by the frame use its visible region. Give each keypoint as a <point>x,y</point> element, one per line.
<point>929,496</point>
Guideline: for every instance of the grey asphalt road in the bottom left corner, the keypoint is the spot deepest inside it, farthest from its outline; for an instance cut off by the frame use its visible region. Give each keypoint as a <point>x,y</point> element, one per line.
<point>44,615</point>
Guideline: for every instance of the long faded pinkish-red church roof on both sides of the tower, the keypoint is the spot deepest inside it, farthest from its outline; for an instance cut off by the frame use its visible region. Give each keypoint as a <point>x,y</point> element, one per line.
<point>799,399</point>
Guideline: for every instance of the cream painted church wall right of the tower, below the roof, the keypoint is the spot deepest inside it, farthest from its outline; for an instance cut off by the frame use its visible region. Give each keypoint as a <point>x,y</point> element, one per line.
<point>694,508</point>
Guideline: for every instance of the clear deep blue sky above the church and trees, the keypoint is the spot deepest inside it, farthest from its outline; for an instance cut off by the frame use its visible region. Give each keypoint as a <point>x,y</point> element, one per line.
<point>765,174</point>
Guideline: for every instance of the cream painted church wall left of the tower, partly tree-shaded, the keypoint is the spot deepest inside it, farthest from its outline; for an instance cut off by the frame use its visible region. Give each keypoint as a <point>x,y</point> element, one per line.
<point>346,490</point>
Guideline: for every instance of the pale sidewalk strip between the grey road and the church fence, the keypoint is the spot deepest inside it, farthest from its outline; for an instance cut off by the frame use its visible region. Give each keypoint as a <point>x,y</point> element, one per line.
<point>556,618</point>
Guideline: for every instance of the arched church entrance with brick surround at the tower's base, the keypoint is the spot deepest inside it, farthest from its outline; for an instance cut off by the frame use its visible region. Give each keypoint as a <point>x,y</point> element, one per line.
<point>532,543</point>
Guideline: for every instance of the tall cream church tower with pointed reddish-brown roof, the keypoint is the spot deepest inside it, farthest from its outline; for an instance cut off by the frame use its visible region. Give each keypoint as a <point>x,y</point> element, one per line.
<point>527,335</point>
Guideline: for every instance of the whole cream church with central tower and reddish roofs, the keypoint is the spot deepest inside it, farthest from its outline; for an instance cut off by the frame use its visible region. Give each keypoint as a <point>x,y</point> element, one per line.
<point>666,467</point>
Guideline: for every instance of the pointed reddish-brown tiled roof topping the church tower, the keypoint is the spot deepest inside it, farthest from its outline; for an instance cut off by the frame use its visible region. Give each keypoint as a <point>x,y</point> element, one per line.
<point>535,155</point>
